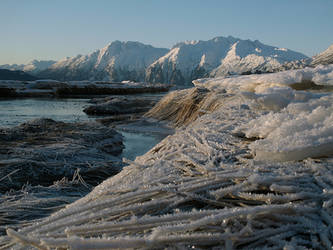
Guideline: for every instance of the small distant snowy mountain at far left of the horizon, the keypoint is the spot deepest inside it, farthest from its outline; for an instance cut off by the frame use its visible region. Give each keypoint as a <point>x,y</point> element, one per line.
<point>33,67</point>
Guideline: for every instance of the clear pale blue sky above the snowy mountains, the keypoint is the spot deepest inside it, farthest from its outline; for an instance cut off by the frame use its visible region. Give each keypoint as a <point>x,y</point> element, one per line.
<point>53,29</point>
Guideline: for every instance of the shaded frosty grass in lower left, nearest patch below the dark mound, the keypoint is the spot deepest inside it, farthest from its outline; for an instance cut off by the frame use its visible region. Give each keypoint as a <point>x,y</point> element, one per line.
<point>21,207</point>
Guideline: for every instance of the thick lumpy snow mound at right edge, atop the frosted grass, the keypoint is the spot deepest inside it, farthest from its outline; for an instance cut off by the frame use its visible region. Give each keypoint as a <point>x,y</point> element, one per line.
<point>299,131</point>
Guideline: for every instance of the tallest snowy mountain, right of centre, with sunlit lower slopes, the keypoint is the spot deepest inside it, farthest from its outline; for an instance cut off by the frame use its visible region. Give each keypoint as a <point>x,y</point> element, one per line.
<point>220,56</point>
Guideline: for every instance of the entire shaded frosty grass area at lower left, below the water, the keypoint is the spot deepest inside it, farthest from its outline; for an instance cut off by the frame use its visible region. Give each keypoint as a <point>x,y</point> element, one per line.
<point>45,164</point>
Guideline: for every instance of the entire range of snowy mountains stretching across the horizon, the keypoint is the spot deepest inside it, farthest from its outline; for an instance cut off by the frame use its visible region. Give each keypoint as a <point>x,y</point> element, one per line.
<point>181,64</point>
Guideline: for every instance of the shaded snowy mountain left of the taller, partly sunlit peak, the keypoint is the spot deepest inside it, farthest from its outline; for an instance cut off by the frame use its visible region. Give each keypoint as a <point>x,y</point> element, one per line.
<point>116,62</point>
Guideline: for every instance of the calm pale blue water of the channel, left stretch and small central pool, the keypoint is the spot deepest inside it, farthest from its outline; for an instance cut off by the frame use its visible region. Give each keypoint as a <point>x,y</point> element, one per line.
<point>14,112</point>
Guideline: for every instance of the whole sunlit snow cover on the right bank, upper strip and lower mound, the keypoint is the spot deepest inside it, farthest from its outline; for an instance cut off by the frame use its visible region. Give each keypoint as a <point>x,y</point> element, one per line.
<point>302,124</point>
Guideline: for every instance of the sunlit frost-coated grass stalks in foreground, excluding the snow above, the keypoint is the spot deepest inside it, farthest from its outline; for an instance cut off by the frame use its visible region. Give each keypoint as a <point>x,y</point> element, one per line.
<point>198,188</point>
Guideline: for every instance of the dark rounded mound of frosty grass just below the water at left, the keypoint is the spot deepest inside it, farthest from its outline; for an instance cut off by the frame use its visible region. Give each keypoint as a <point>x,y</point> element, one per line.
<point>43,150</point>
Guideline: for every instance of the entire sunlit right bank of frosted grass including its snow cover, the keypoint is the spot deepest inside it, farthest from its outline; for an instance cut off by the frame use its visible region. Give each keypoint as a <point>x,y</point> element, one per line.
<point>252,169</point>
